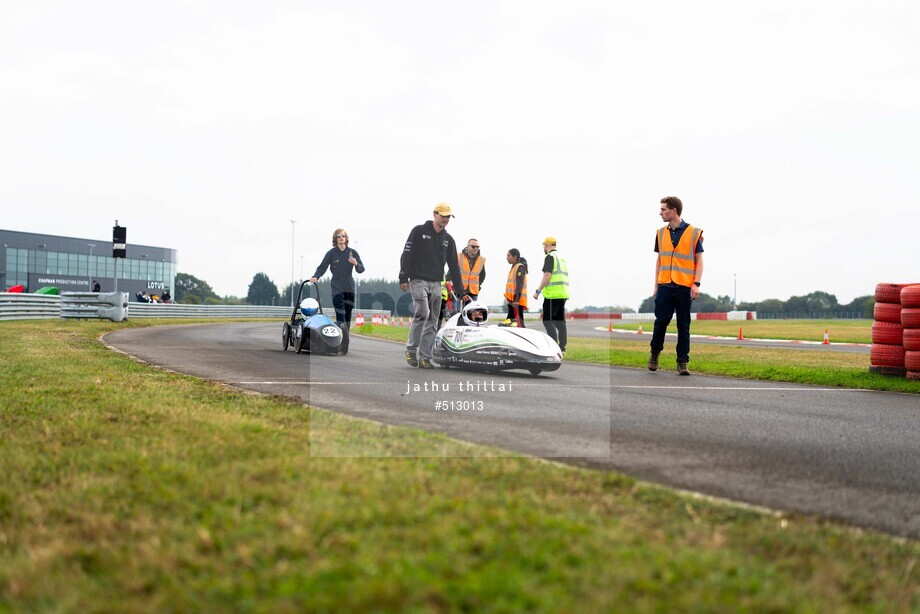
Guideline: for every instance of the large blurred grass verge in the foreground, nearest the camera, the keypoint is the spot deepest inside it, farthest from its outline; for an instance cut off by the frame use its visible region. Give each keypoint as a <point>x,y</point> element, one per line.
<point>124,488</point>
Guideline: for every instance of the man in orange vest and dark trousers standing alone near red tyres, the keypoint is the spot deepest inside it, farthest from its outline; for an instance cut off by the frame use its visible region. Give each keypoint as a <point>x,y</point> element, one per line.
<point>678,271</point>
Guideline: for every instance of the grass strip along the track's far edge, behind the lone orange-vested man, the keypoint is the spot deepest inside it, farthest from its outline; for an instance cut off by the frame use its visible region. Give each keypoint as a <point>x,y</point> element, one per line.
<point>820,368</point>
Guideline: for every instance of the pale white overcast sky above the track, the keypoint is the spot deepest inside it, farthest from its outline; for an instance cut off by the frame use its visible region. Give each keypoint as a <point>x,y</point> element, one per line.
<point>790,130</point>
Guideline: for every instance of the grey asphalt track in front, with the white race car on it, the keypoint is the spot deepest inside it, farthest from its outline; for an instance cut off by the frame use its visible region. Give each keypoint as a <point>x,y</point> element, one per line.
<point>847,454</point>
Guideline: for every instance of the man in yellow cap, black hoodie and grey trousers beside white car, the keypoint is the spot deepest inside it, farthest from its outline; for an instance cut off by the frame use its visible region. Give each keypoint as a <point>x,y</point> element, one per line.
<point>421,269</point>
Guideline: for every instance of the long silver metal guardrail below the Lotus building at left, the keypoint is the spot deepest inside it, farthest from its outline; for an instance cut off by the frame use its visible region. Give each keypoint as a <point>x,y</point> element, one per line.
<point>85,305</point>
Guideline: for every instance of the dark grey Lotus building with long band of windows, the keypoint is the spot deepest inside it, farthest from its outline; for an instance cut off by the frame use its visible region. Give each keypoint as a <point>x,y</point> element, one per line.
<point>71,264</point>
